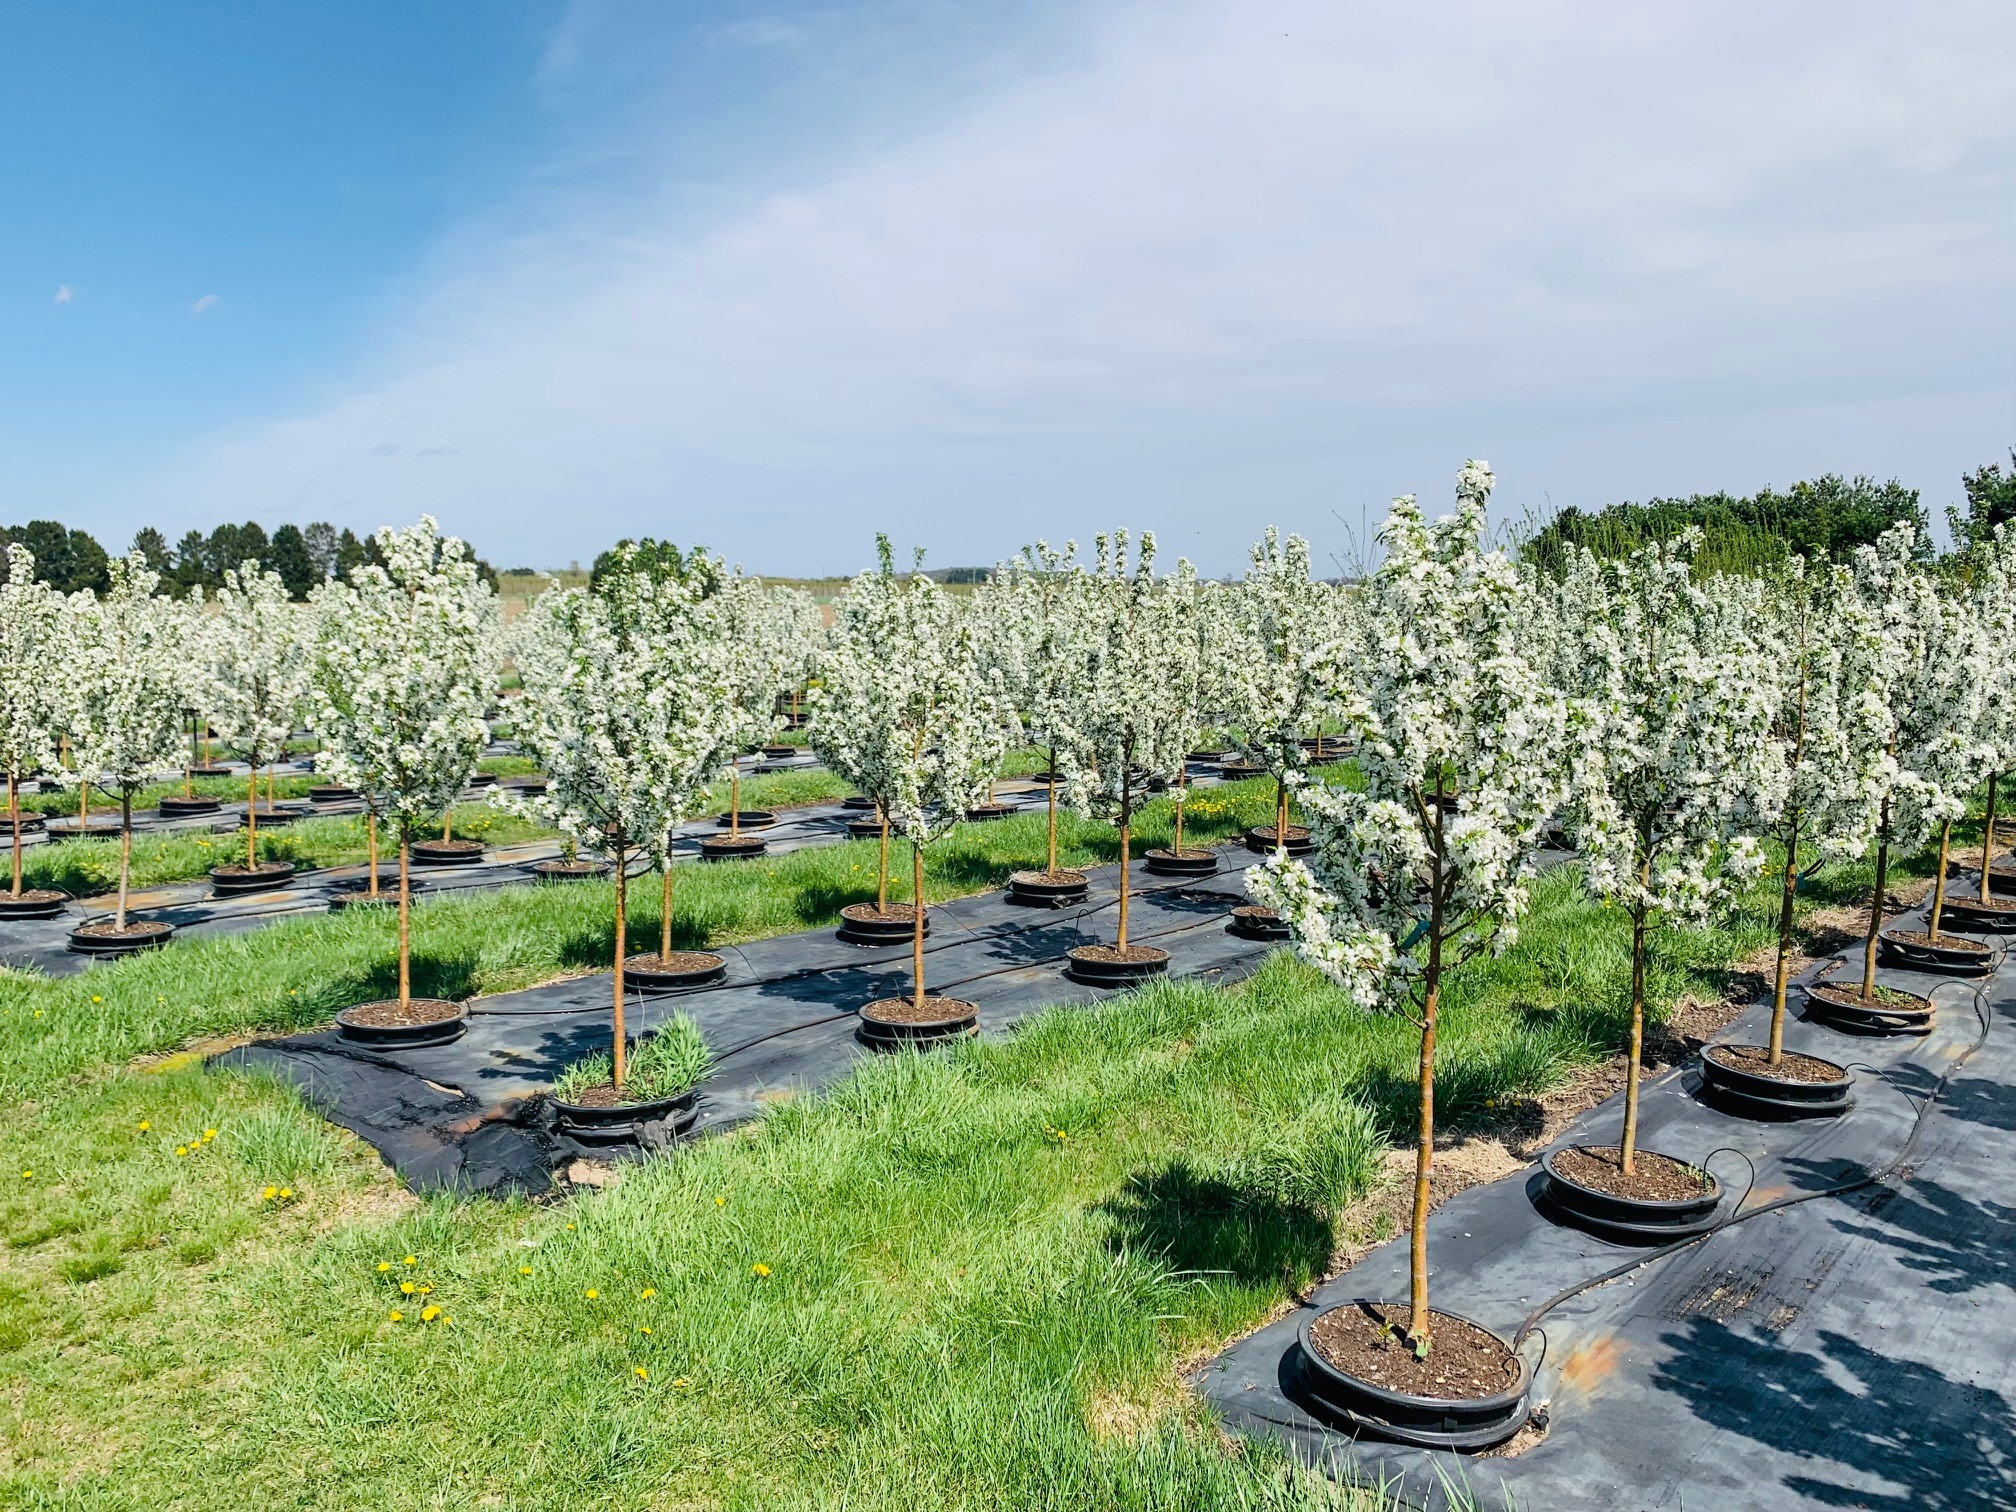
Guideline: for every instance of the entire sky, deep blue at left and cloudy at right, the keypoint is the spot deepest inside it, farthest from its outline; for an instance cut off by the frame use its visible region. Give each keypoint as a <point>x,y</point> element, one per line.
<point>781,277</point>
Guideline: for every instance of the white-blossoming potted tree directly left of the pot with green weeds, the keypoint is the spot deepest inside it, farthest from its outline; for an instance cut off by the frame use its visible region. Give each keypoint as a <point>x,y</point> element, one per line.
<point>400,674</point>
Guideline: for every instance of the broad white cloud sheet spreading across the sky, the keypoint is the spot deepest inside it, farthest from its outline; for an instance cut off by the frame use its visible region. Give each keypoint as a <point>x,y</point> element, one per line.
<point>1239,263</point>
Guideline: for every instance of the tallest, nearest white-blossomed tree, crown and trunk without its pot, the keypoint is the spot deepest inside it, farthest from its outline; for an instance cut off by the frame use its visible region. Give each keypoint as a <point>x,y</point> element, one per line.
<point>1461,743</point>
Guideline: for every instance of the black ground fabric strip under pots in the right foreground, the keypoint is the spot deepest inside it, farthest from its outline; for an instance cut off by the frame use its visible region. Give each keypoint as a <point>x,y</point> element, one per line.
<point>1842,1352</point>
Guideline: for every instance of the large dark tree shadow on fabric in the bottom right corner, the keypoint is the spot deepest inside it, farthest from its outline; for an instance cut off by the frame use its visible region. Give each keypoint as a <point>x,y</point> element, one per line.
<point>1880,1432</point>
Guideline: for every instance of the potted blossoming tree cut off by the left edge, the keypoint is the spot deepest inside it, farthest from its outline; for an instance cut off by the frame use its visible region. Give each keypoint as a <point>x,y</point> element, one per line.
<point>35,658</point>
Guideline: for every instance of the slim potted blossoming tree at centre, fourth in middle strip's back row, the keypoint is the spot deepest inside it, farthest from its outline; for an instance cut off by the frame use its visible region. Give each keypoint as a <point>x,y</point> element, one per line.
<point>1031,620</point>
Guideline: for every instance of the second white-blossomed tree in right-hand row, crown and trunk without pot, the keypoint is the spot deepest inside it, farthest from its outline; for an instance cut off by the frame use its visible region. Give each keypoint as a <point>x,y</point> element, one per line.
<point>1672,717</point>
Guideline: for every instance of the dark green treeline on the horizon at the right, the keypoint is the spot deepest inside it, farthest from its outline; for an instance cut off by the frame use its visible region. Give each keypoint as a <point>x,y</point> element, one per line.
<point>1828,517</point>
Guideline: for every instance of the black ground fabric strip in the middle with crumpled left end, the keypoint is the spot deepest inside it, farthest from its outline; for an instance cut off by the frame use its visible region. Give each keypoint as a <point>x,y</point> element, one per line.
<point>473,1116</point>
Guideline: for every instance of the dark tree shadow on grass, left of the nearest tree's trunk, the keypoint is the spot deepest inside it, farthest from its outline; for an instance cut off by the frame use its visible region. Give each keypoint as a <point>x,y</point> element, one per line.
<point>1199,1223</point>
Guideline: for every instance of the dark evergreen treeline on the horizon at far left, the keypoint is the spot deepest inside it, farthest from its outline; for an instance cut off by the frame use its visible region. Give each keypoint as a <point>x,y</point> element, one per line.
<point>299,555</point>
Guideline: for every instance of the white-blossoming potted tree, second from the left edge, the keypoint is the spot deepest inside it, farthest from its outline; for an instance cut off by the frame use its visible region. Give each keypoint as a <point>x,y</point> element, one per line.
<point>126,723</point>
